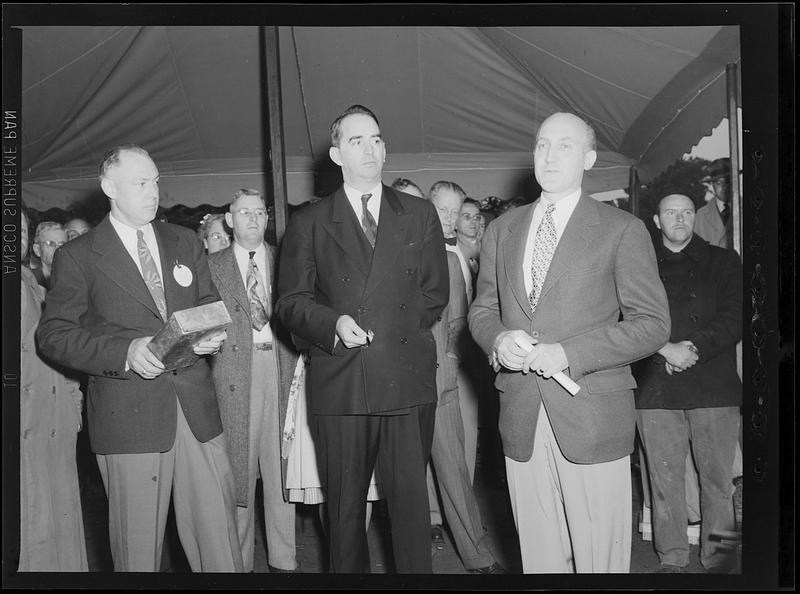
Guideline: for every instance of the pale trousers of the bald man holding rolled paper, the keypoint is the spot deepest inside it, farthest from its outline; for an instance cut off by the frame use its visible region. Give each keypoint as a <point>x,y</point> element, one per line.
<point>570,517</point>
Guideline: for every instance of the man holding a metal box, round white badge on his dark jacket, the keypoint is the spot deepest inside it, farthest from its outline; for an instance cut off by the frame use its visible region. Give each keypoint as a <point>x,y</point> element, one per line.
<point>154,431</point>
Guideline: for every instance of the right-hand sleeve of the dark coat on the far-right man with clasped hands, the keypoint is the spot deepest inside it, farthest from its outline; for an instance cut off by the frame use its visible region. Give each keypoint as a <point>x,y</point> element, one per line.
<point>724,329</point>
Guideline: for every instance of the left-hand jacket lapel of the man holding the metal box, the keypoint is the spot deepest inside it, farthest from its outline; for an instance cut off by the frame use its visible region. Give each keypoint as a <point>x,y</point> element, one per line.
<point>116,263</point>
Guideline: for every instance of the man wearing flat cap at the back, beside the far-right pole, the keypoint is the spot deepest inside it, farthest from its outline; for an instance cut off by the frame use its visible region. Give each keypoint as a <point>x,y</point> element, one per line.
<point>713,222</point>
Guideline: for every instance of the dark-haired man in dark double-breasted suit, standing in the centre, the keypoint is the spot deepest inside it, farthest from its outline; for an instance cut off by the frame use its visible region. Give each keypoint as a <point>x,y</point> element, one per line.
<point>363,277</point>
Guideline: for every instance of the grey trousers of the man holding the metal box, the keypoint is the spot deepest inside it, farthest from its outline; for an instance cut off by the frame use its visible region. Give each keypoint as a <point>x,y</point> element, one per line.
<point>200,478</point>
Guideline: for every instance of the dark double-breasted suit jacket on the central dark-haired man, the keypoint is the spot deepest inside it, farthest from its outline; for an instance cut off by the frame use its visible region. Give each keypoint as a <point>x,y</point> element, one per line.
<point>327,269</point>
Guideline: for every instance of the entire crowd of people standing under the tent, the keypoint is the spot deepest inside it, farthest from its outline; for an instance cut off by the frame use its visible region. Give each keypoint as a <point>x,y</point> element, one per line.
<point>358,358</point>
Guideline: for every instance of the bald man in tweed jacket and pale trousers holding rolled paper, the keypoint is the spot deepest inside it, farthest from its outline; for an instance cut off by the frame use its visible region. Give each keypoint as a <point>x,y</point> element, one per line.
<point>571,285</point>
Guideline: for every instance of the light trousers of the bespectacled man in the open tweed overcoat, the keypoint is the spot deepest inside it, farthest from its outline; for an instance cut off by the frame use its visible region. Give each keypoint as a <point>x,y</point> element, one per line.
<point>264,455</point>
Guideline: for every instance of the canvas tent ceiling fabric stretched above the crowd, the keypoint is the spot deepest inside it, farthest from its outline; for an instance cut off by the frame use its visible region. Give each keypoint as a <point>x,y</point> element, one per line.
<point>457,103</point>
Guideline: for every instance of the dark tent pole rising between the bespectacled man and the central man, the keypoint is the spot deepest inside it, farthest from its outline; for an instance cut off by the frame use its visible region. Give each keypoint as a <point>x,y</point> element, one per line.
<point>275,115</point>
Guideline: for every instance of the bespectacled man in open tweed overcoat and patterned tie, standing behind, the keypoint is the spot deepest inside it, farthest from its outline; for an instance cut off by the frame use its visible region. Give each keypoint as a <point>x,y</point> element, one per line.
<point>252,375</point>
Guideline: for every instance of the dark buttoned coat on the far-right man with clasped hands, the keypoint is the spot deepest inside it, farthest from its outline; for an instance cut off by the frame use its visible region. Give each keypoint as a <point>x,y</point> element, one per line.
<point>704,289</point>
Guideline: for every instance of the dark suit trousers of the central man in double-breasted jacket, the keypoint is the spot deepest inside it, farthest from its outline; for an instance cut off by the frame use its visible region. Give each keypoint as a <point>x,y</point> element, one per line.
<point>398,446</point>
